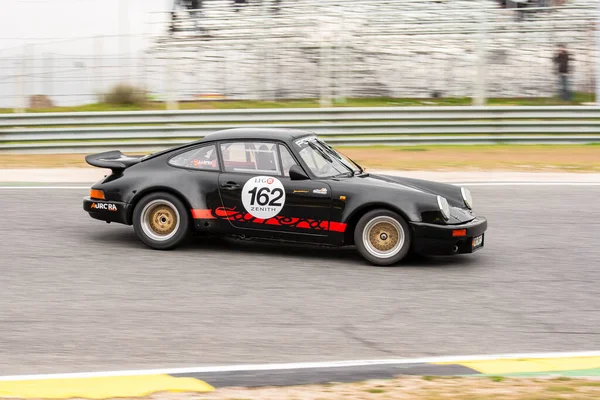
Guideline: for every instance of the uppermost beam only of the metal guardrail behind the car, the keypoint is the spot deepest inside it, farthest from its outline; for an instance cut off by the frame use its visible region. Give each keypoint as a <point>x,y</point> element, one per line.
<point>298,114</point>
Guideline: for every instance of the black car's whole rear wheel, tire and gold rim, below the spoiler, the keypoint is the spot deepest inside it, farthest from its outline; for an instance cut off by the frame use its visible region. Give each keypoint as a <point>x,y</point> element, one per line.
<point>161,221</point>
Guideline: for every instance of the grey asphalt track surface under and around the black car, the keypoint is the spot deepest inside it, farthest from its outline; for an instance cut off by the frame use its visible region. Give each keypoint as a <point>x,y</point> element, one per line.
<point>81,295</point>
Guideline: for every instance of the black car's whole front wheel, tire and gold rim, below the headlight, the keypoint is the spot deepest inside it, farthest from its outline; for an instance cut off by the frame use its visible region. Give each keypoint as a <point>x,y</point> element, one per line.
<point>382,237</point>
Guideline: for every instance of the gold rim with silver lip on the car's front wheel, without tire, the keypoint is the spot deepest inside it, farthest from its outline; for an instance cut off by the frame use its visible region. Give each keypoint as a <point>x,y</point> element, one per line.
<point>383,237</point>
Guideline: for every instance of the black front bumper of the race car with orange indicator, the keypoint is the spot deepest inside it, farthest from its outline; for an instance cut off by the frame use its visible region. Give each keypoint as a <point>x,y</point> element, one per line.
<point>435,239</point>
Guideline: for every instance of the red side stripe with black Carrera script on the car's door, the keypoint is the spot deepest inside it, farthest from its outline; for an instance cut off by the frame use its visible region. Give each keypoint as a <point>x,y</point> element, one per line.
<point>231,214</point>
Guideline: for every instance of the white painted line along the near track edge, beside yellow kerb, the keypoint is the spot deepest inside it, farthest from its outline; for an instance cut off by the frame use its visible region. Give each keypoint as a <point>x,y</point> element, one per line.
<point>303,365</point>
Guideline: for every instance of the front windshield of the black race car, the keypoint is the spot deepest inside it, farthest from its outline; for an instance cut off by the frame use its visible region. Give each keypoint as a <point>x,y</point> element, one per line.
<point>323,160</point>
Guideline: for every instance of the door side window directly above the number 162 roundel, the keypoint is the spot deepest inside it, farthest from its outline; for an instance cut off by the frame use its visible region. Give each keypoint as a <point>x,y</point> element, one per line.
<point>251,157</point>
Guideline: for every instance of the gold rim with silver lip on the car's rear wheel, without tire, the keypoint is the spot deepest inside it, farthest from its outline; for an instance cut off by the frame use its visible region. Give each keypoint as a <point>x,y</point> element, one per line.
<point>160,220</point>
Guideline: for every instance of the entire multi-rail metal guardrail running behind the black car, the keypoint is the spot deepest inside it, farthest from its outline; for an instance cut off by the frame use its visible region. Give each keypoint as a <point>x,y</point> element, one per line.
<point>341,126</point>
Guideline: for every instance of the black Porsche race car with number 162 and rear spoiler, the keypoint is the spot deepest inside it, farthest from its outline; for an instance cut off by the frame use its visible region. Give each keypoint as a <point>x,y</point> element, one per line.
<point>281,184</point>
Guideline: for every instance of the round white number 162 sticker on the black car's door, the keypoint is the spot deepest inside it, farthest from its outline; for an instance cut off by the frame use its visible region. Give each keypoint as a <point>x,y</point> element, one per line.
<point>263,196</point>
